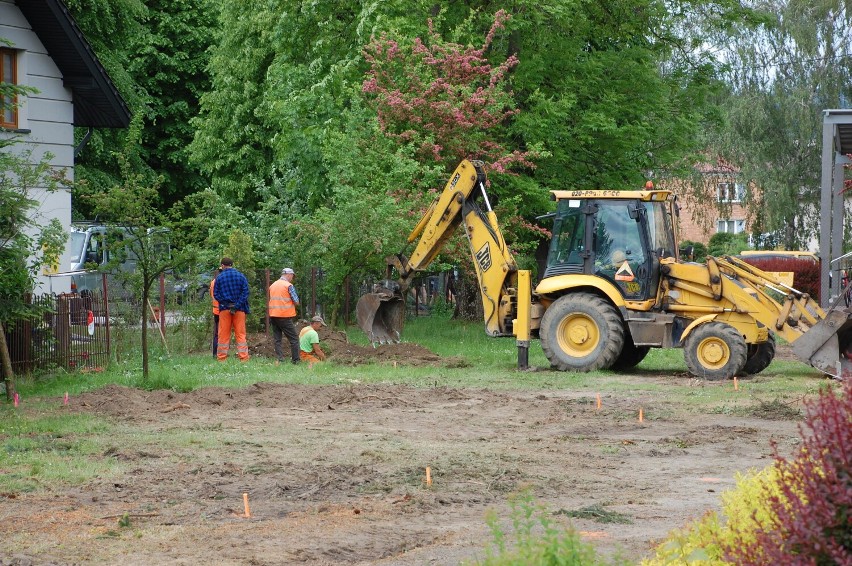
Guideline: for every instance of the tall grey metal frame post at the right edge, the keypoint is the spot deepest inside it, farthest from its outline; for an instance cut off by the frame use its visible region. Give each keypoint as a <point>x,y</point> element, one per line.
<point>836,145</point>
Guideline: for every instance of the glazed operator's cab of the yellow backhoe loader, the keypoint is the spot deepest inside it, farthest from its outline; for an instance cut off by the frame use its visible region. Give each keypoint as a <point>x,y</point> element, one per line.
<point>620,236</point>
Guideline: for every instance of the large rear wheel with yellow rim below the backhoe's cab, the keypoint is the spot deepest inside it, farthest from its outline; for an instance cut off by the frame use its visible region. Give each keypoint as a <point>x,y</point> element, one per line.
<point>581,332</point>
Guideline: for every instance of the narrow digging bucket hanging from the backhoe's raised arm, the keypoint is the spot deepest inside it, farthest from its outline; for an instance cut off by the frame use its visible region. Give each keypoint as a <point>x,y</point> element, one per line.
<point>381,314</point>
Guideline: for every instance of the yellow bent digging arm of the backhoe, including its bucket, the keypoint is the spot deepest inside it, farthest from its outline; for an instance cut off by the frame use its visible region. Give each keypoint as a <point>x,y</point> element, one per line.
<point>464,200</point>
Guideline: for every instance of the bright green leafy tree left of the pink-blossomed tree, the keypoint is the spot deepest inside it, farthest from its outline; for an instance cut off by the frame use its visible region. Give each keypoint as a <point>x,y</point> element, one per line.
<point>282,75</point>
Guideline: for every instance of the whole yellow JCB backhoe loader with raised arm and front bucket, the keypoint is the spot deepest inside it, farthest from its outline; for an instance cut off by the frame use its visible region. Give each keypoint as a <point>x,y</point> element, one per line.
<point>613,288</point>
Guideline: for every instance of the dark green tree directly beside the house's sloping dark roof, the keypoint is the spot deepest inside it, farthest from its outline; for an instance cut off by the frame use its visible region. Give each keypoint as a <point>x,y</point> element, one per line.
<point>156,52</point>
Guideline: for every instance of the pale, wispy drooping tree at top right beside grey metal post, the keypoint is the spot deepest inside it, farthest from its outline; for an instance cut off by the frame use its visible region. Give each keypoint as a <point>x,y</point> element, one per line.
<point>781,77</point>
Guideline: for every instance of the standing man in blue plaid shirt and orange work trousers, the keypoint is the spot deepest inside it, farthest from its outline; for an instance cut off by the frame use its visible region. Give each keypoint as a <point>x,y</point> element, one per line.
<point>231,290</point>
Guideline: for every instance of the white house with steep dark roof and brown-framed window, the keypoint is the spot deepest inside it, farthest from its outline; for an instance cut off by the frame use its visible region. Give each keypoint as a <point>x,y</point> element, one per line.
<point>42,47</point>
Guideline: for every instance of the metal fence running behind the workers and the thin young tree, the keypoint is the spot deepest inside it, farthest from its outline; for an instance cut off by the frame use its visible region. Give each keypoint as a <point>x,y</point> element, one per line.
<point>86,331</point>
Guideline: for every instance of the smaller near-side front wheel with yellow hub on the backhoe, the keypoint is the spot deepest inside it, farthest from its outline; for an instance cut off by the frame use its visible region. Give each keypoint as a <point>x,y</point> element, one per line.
<point>715,351</point>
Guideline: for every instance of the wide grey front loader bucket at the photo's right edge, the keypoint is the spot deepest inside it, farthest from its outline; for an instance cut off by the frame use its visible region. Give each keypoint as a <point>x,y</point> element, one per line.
<point>827,346</point>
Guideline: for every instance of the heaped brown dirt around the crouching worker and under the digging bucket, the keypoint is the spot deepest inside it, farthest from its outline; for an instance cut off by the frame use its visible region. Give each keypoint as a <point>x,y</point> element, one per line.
<point>339,350</point>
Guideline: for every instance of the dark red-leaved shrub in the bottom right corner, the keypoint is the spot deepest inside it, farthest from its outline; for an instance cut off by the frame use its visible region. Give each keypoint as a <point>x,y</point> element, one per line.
<point>812,510</point>
